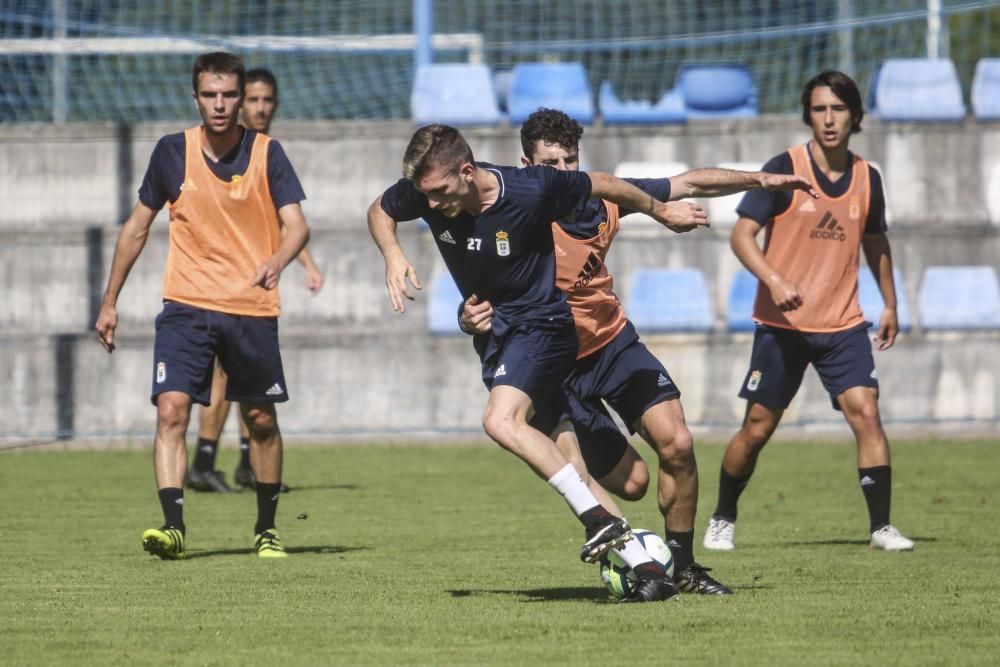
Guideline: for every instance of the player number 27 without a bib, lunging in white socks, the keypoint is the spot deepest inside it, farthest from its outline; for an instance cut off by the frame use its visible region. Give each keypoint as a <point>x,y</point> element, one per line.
<point>492,227</point>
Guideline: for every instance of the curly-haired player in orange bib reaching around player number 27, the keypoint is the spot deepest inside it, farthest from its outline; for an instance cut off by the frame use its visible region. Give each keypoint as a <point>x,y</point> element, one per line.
<point>612,364</point>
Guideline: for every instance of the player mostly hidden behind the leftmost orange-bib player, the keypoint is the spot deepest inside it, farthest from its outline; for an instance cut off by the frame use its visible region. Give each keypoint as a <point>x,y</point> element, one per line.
<point>260,102</point>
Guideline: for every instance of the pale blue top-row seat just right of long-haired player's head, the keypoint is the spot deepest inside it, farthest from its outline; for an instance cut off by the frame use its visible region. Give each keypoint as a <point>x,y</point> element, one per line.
<point>919,89</point>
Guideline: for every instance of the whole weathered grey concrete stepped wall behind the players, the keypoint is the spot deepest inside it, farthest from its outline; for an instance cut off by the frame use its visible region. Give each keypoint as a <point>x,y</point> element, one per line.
<point>354,366</point>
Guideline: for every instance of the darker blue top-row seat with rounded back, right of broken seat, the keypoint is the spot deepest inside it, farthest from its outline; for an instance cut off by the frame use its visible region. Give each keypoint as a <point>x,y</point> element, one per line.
<point>717,91</point>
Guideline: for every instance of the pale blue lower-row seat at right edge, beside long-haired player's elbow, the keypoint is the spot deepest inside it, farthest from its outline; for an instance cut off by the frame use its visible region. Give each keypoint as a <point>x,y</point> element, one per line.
<point>960,297</point>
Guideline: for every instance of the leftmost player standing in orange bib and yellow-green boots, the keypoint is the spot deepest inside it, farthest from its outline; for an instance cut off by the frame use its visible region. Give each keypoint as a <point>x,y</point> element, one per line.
<point>229,190</point>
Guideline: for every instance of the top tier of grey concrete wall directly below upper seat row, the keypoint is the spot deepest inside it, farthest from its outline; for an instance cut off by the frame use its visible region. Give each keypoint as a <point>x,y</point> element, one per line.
<point>90,173</point>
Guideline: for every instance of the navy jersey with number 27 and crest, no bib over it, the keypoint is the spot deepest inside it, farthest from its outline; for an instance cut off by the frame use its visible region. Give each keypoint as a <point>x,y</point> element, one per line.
<point>505,254</point>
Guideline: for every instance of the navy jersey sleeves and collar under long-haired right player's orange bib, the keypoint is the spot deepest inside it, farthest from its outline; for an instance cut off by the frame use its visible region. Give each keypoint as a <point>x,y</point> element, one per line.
<point>762,205</point>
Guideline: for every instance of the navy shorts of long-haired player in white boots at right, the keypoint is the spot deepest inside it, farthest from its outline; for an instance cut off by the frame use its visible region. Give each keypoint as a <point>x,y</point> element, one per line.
<point>779,359</point>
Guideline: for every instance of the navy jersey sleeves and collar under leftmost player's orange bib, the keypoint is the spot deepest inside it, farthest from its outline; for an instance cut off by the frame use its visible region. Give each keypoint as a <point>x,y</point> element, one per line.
<point>165,172</point>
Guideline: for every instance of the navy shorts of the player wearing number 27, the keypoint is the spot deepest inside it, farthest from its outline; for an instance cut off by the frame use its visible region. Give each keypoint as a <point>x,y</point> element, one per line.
<point>534,359</point>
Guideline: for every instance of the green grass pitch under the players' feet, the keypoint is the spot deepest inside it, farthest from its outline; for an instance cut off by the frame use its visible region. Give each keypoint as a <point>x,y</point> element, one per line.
<point>459,555</point>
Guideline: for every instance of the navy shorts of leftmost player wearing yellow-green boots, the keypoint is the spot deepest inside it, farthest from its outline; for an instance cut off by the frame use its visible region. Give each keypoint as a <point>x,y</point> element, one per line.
<point>188,340</point>
